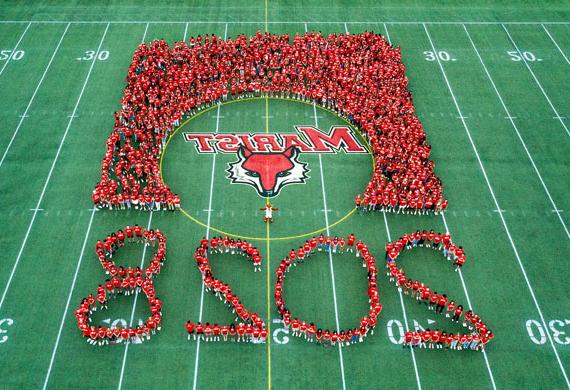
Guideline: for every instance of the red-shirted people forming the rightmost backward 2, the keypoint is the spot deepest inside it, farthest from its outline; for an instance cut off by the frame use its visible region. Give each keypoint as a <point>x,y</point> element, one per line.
<point>480,334</point>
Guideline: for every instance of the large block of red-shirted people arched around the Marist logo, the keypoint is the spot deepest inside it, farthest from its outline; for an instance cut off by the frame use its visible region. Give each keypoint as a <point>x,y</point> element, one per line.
<point>361,77</point>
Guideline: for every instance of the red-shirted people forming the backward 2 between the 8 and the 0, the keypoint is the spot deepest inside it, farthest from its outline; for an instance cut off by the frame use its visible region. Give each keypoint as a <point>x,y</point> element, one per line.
<point>251,327</point>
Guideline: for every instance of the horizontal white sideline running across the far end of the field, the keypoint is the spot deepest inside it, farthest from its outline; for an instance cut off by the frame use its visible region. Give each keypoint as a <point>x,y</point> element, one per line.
<point>282,22</point>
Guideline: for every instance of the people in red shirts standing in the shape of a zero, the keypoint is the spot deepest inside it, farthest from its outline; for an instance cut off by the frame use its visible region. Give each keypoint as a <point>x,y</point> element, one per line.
<point>308,330</point>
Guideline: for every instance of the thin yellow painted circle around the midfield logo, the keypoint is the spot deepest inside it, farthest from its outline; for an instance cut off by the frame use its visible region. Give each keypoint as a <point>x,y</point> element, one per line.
<point>284,238</point>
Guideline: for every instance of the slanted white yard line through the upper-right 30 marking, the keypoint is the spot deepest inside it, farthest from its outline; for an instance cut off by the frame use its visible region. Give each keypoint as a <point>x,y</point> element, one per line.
<point>507,231</point>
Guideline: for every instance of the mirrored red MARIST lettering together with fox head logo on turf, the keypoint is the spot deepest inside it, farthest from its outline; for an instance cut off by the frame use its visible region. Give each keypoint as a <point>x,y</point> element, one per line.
<point>270,161</point>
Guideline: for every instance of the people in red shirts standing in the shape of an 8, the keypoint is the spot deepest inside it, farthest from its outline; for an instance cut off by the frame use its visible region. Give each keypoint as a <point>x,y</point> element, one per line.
<point>124,281</point>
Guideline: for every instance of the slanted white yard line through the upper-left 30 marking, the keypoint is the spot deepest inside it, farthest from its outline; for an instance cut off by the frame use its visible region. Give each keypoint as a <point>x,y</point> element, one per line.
<point>50,172</point>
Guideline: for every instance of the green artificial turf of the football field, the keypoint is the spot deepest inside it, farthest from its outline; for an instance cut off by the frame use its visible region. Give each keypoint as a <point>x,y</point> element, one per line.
<point>42,281</point>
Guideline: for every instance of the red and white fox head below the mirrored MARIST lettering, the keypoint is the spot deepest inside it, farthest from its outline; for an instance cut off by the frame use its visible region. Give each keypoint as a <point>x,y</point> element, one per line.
<point>268,173</point>
